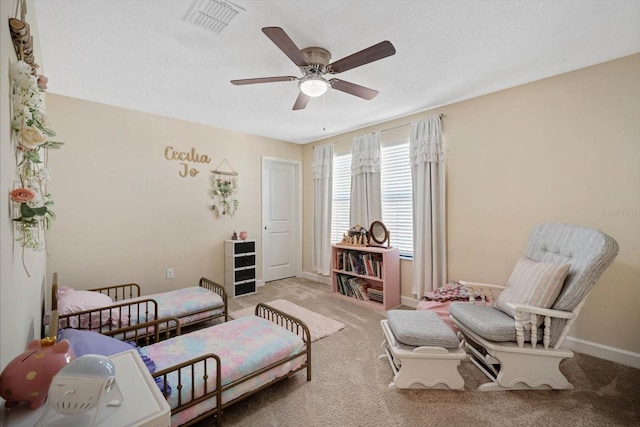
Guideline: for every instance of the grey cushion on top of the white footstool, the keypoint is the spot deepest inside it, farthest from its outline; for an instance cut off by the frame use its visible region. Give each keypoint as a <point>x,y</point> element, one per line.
<point>421,328</point>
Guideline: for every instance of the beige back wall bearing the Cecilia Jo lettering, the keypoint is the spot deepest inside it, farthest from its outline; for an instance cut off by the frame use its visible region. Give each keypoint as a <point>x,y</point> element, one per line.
<point>124,212</point>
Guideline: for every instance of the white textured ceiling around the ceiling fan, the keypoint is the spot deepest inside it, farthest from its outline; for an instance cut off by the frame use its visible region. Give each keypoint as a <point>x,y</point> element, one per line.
<point>142,55</point>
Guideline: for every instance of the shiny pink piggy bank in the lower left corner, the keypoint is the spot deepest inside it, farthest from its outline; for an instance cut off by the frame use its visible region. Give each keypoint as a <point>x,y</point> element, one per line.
<point>28,376</point>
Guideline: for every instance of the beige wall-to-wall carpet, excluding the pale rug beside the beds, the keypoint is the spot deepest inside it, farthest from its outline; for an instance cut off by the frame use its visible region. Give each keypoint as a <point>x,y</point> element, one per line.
<point>349,383</point>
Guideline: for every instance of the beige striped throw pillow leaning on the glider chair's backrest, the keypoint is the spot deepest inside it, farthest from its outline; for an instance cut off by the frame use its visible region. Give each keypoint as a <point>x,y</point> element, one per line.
<point>532,283</point>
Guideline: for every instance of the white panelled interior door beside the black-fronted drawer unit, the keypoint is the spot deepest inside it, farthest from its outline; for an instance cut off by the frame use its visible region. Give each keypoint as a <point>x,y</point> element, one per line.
<point>281,211</point>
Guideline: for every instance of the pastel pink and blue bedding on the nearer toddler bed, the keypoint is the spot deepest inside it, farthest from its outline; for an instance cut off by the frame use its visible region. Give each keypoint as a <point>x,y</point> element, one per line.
<point>243,345</point>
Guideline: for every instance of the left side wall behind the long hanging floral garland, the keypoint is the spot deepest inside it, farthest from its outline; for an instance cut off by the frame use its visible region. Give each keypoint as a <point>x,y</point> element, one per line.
<point>20,318</point>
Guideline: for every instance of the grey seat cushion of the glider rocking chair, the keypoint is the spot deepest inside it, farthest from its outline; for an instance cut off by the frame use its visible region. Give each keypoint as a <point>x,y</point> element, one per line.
<point>486,321</point>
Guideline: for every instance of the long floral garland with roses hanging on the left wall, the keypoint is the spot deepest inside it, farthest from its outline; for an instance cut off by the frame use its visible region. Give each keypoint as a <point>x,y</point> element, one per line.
<point>32,202</point>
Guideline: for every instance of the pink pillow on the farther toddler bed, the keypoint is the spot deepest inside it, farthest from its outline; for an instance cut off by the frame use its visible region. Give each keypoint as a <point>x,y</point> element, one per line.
<point>72,301</point>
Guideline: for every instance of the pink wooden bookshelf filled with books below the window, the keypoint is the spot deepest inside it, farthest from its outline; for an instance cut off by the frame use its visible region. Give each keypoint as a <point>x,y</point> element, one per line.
<point>366,275</point>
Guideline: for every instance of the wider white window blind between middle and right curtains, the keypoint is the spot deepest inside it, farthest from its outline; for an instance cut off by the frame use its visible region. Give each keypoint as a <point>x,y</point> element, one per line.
<point>396,196</point>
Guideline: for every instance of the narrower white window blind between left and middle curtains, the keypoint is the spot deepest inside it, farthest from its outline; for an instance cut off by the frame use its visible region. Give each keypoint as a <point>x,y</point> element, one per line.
<point>341,196</point>
